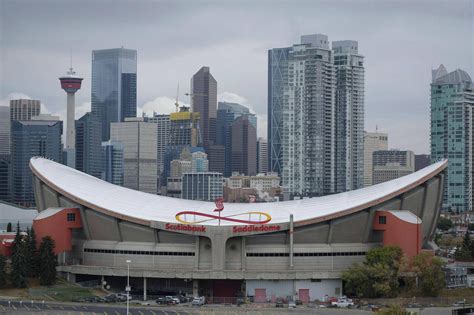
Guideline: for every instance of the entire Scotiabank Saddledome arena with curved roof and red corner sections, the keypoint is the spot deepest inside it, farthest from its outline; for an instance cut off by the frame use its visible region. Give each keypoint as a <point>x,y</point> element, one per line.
<point>291,249</point>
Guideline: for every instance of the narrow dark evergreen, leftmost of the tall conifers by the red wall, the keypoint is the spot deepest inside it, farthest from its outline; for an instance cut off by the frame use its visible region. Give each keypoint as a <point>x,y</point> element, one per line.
<point>19,262</point>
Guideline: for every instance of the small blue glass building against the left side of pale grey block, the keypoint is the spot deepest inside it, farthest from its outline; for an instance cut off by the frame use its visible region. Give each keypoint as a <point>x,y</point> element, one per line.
<point>113,162</point>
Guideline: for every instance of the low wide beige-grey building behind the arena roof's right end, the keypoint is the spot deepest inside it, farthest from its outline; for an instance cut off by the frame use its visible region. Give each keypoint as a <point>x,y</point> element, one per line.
<point>391,164</point>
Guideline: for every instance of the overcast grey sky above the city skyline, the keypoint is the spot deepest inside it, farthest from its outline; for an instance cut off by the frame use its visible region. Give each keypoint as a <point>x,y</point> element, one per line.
<point>401,40</point>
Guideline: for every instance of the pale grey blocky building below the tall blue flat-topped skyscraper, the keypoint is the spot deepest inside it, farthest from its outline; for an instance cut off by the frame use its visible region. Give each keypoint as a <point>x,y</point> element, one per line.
<point>139,141</point>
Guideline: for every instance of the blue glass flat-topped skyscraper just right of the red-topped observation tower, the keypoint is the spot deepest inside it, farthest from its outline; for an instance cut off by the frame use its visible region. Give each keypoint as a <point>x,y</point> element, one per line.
<point>114,86</point>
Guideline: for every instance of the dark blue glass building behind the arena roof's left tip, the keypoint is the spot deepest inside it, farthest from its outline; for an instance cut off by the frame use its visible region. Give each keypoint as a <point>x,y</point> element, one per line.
<point>32,138</point>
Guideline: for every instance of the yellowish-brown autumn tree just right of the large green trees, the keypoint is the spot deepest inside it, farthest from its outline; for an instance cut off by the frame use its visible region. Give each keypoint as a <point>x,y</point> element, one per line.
<point>430,274</point>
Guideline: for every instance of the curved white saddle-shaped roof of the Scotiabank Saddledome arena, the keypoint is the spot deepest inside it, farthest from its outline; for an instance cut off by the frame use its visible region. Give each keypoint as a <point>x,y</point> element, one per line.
<point>143,207</point>
